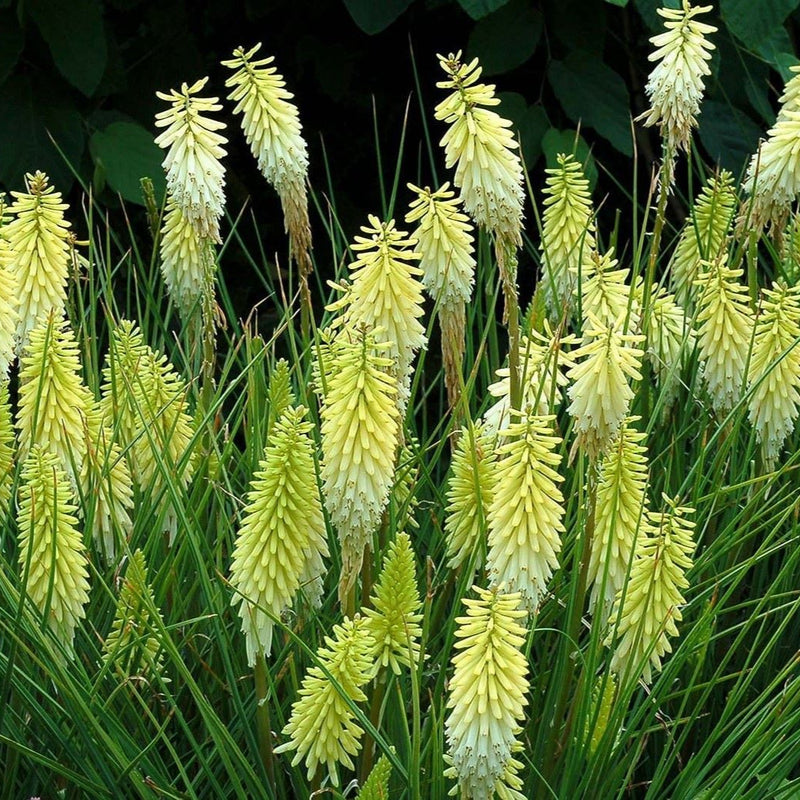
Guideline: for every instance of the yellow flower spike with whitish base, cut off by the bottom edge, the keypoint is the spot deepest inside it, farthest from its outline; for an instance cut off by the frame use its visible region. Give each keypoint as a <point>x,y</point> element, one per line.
<point>487,693</point>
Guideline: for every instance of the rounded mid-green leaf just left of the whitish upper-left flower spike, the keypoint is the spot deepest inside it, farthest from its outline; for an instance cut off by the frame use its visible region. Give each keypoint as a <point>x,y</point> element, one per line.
<point>126,153</point>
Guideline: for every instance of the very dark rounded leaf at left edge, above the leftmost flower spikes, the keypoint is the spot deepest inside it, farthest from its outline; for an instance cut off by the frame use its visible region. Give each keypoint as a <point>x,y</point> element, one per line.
<point>30,113</point>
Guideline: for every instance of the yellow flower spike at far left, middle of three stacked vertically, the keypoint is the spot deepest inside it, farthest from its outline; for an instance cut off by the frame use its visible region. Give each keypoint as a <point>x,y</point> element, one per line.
<point>53,401</point>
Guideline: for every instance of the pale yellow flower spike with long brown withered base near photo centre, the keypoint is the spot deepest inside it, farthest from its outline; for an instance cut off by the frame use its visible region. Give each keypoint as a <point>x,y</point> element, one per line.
<point>445,243</point>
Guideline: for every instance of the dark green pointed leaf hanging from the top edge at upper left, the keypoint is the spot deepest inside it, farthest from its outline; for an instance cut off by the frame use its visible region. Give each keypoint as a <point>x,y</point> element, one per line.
<point>73,30</point>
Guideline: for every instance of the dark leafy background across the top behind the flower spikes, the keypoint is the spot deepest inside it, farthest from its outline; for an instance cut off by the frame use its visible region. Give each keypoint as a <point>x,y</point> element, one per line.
<point>84,73</point>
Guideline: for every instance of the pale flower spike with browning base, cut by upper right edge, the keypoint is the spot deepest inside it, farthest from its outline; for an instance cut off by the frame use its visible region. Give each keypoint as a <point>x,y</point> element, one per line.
<point>773,176</point>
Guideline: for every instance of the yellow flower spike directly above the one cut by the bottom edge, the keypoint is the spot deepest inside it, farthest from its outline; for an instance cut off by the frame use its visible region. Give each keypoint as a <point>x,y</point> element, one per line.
<point>527,510</point>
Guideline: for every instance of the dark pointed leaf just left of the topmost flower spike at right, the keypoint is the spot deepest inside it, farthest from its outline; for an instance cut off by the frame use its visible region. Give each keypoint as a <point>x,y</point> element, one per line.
<point>592,93</point>
